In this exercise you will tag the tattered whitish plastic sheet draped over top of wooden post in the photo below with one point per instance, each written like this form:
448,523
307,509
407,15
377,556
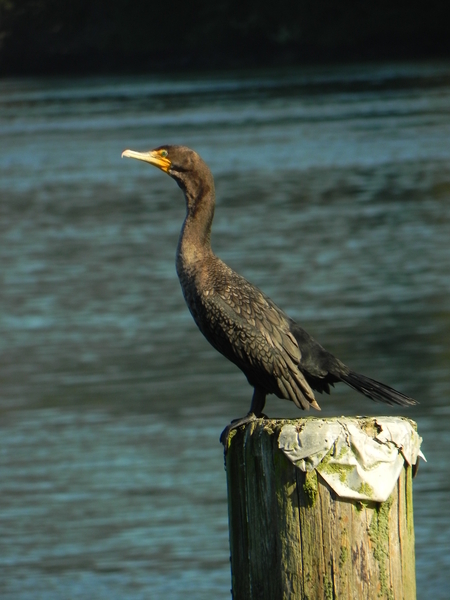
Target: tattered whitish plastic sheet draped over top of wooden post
359,458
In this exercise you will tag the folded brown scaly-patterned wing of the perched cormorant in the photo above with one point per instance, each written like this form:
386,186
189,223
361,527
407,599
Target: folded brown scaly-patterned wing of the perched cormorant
251,331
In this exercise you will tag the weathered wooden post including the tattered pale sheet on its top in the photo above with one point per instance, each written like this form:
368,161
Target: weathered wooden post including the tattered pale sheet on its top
322,509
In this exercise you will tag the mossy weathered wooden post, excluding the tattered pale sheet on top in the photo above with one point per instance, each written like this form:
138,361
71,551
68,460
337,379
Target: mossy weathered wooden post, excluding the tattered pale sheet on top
293,538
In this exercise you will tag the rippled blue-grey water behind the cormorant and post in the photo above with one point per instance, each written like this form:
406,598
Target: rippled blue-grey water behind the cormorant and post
333,196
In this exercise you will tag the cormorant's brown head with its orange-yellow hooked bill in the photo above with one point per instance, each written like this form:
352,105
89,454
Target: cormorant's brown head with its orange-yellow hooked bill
180,162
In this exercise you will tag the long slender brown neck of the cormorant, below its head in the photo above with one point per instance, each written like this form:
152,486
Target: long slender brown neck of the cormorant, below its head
194,245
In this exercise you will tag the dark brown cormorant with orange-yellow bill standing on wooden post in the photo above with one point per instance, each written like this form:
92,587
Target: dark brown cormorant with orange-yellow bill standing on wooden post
276,355
